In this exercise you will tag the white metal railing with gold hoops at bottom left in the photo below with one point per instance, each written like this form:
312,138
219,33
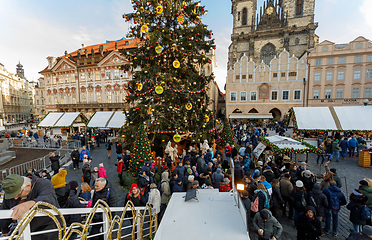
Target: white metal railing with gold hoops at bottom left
129,222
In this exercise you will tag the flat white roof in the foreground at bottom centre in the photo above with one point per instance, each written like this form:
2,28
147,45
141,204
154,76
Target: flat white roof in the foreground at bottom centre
214,216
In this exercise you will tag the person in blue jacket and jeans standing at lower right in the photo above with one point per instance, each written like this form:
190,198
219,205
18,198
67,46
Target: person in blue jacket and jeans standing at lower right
336,199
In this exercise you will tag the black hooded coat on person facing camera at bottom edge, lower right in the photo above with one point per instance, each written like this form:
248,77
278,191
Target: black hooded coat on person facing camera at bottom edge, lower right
308,229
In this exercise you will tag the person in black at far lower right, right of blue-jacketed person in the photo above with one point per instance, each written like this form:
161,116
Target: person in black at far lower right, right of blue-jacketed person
356,204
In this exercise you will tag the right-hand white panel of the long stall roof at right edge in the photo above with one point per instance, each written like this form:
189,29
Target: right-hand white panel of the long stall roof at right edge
355,118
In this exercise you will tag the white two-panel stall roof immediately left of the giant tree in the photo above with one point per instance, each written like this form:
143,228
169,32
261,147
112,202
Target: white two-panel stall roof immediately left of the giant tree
107,120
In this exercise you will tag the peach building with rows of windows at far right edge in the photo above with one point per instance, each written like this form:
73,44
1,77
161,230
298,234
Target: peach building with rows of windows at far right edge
340,74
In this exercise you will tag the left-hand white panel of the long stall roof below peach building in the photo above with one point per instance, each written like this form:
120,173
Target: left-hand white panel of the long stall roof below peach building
312,118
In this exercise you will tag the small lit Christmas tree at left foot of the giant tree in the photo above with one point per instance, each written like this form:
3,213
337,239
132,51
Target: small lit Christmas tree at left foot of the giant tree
141,152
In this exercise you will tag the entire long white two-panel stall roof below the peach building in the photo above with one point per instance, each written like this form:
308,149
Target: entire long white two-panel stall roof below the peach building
344,118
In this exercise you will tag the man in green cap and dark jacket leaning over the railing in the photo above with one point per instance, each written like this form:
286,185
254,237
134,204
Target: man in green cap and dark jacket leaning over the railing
33,190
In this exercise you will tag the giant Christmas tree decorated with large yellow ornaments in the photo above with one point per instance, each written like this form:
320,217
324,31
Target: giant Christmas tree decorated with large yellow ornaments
168,90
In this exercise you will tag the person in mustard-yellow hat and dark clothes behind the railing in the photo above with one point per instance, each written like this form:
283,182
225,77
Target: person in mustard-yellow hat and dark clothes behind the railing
61,188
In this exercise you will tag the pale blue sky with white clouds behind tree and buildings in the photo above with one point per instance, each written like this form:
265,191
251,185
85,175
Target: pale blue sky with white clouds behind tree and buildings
30,31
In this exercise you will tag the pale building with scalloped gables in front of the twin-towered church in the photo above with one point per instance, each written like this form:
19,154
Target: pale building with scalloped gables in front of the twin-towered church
265,89
